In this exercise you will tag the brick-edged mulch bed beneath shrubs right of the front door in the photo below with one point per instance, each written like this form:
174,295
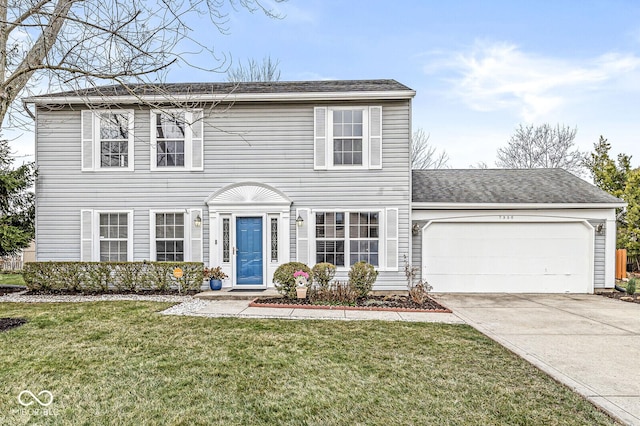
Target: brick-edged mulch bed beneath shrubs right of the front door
373,303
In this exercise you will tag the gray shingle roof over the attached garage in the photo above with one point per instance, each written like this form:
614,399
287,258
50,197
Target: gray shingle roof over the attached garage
505,186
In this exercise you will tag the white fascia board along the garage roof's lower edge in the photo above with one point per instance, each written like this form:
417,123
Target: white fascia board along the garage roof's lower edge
513,206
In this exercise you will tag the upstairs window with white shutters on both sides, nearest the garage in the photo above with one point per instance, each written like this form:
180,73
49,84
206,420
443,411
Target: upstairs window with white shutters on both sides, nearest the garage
348,137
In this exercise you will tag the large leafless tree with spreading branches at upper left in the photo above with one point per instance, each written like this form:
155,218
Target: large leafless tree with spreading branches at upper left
68,44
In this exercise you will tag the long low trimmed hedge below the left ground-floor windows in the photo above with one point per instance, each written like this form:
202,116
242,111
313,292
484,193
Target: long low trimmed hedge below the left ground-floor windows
112,276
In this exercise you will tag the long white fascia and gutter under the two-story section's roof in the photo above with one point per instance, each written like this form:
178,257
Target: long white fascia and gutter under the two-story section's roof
226,97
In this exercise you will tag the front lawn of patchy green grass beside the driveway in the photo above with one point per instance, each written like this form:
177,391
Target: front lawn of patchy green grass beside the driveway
122,363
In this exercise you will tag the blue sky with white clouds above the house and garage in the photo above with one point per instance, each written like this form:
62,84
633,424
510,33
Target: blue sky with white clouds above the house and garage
479,68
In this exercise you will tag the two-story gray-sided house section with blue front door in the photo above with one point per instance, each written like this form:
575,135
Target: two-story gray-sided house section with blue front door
247,176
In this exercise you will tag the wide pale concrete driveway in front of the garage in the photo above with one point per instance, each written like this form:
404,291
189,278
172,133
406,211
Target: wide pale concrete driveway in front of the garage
589,342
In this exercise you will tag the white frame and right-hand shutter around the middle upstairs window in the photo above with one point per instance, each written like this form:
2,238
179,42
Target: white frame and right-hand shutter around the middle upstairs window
188,140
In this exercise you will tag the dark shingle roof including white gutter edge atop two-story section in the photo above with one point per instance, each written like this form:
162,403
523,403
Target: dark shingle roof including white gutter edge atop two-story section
275,90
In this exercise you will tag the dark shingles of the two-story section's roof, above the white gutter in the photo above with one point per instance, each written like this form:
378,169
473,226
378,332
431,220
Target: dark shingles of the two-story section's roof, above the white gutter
323,86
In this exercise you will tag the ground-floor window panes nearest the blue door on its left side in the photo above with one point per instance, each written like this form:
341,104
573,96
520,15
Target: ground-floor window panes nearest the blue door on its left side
170,239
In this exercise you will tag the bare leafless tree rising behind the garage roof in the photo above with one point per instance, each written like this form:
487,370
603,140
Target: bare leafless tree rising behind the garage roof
543,146
